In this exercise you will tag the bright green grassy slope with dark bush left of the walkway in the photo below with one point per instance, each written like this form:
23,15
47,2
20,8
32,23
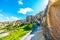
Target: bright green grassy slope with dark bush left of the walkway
17,32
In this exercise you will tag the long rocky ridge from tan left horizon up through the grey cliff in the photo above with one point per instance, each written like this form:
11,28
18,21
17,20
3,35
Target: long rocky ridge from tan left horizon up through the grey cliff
29,19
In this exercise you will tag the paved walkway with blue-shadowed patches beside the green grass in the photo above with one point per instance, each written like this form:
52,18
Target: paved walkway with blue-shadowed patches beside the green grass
35,34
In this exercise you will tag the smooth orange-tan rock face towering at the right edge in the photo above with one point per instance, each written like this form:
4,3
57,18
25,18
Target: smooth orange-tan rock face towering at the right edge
54,19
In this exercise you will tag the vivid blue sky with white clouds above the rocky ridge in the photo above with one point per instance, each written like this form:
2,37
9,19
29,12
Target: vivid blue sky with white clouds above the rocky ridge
11,10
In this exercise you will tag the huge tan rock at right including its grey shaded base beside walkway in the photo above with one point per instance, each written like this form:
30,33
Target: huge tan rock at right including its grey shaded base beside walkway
53,20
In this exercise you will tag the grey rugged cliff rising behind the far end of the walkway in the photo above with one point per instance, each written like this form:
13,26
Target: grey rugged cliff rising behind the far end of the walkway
35,19
